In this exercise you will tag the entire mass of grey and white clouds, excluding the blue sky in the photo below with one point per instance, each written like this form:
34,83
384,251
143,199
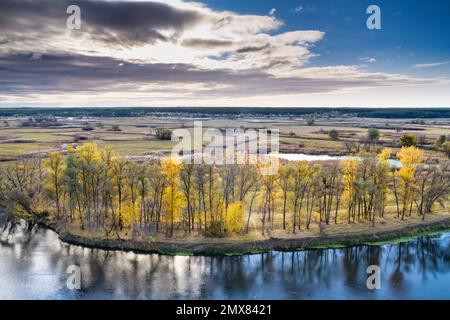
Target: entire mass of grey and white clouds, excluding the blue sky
165,53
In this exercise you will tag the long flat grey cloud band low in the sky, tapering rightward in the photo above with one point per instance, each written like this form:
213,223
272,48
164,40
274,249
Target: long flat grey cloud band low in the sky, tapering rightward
24,74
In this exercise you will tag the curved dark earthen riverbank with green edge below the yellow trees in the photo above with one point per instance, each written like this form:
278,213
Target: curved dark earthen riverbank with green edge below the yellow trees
226,247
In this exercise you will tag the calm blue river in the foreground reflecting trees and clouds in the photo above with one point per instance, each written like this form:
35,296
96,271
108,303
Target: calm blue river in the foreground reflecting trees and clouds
34,266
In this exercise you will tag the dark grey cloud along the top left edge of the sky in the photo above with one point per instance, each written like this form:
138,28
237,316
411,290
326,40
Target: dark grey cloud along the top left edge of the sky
125,22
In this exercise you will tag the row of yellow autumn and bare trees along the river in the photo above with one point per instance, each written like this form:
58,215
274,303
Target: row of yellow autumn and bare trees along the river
96,190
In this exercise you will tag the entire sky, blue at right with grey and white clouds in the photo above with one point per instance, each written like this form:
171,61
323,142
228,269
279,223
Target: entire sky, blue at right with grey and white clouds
265,53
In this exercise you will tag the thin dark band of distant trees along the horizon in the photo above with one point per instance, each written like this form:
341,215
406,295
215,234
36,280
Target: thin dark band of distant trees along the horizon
232,112
